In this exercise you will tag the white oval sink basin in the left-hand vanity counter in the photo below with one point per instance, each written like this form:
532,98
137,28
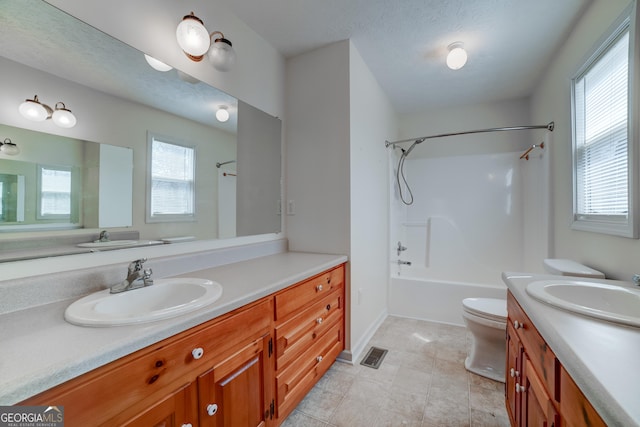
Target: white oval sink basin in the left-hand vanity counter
164,299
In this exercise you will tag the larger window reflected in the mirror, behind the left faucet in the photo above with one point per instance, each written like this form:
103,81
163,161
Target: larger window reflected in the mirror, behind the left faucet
171,181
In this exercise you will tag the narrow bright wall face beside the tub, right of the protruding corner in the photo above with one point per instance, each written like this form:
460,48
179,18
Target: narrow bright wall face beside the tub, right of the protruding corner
372,121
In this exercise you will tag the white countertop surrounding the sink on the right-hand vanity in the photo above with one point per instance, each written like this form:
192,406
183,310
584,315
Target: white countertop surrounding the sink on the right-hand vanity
602,357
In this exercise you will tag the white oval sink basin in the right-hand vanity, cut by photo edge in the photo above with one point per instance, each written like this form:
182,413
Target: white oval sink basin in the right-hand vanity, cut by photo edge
600,300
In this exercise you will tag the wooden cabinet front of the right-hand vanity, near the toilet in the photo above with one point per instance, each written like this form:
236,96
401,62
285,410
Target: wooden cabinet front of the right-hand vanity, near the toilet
538,391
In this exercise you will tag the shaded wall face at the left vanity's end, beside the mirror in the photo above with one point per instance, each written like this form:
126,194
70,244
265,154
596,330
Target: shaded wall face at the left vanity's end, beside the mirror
317,150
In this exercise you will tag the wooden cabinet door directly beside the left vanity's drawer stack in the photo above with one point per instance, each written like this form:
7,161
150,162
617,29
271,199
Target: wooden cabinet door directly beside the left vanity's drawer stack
238,391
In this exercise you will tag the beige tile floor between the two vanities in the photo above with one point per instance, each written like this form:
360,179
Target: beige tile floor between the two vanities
422,382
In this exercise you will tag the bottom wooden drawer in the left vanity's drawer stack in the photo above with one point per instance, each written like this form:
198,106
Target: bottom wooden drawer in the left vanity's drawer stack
298,378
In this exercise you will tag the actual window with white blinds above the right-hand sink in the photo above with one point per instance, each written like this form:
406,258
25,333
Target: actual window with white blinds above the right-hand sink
602,148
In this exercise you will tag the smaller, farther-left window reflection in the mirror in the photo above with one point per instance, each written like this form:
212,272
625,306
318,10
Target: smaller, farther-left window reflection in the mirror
54,192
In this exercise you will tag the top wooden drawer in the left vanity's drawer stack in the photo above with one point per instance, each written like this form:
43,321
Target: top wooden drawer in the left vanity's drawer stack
299,296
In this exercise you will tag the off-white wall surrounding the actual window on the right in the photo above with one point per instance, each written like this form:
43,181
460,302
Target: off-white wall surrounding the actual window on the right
617,257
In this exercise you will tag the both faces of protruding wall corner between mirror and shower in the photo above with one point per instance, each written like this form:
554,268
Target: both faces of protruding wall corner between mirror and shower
337,121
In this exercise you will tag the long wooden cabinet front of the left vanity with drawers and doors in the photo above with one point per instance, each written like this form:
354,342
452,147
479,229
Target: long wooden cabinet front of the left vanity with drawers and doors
221,373
